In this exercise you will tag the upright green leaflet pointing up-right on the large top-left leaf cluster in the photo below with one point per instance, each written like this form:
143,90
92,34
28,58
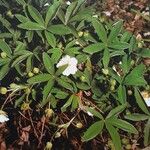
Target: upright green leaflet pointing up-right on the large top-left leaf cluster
52,10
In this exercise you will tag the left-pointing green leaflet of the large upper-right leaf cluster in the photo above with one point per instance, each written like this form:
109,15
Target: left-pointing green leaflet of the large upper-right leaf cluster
94,48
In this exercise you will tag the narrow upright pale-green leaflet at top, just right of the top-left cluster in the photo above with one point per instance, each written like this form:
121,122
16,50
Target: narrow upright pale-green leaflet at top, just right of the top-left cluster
69,11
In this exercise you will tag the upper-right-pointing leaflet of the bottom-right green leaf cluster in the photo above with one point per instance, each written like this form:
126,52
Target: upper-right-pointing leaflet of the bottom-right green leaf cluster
117,110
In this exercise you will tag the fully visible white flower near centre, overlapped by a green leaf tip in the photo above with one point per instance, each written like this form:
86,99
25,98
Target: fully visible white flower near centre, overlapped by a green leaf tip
72,65
